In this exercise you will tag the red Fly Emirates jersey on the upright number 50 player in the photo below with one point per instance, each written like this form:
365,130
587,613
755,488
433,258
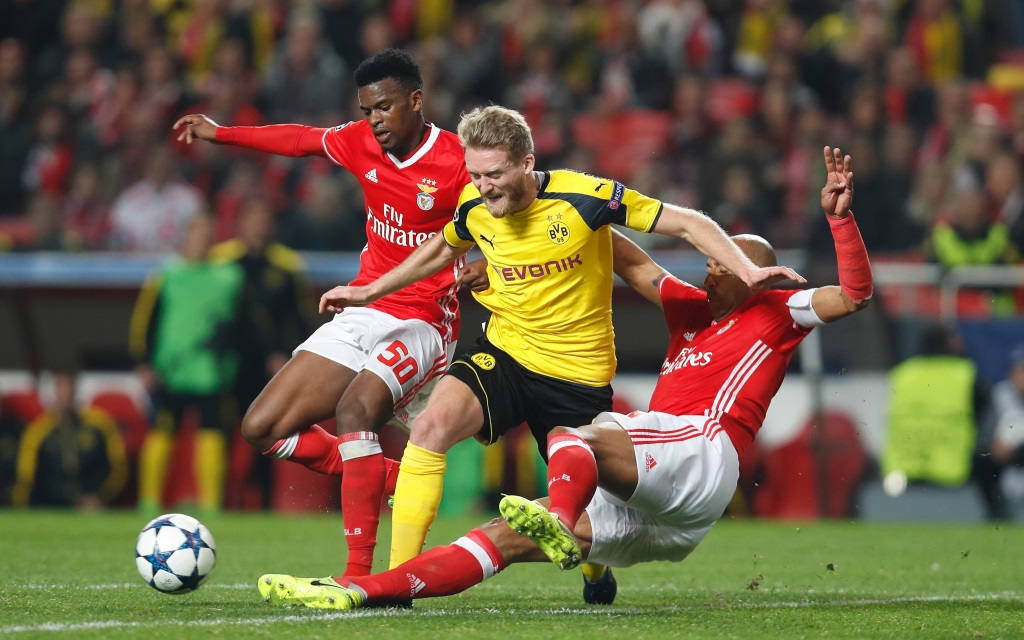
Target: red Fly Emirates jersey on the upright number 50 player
408,201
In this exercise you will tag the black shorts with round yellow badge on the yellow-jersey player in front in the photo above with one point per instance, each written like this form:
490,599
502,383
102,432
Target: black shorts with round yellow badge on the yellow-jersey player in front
511,395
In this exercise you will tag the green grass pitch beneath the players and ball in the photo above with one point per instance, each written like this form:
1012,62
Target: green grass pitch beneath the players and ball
73,576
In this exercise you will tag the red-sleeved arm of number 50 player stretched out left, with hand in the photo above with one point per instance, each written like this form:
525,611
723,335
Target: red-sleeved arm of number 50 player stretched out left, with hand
293,141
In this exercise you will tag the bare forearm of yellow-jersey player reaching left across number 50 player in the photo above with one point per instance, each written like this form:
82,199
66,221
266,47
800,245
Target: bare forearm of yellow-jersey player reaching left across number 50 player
425,262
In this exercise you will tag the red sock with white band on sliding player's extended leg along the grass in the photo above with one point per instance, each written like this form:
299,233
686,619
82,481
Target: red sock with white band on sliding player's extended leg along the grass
441,572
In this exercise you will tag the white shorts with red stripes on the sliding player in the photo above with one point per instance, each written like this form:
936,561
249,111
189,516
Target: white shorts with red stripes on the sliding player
689,472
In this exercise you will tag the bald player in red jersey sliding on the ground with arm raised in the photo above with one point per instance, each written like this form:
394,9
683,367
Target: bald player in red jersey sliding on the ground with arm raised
648,486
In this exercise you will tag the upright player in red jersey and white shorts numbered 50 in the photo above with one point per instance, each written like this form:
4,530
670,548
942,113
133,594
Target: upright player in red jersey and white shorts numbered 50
367,364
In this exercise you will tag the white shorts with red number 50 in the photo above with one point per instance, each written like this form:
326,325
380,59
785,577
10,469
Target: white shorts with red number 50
408,355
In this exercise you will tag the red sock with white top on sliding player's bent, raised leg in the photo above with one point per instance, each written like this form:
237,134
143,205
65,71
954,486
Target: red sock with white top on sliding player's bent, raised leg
572,478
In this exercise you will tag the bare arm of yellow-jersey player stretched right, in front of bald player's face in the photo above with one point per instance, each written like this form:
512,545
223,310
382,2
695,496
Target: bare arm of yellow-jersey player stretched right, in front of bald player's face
708,237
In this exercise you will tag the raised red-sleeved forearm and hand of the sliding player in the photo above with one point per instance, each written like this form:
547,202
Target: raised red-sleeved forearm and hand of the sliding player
855,291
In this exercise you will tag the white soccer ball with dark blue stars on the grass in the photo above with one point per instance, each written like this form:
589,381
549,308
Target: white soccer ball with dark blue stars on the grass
176,553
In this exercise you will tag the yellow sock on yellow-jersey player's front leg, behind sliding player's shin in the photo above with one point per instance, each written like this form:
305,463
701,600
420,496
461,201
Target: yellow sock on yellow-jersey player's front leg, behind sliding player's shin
417,497
